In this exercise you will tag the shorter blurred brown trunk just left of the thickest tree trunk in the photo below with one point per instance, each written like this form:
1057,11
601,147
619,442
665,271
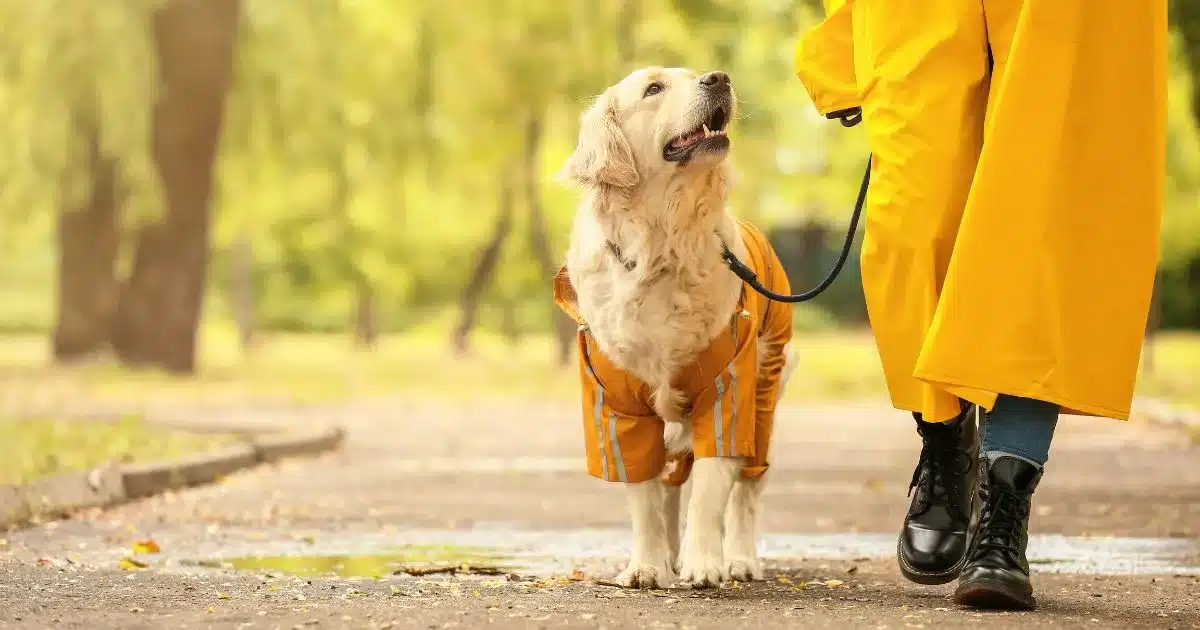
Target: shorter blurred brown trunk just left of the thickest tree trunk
89,239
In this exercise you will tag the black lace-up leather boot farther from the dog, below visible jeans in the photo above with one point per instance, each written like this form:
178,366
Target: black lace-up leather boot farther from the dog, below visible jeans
998,573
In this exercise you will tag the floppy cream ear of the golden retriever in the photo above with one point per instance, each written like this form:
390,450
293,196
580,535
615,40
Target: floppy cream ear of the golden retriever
603,155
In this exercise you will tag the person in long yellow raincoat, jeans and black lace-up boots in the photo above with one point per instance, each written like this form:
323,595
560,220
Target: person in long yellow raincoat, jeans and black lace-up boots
1011,241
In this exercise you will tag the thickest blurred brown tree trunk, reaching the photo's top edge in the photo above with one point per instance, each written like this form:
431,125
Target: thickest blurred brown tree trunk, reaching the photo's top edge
159,310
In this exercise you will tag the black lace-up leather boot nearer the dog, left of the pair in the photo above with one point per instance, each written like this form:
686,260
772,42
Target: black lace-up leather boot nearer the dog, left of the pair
934,541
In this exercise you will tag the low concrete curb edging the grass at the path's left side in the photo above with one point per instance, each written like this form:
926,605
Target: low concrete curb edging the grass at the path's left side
109,485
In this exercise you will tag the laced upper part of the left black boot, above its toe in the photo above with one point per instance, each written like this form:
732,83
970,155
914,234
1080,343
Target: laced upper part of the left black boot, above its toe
941,469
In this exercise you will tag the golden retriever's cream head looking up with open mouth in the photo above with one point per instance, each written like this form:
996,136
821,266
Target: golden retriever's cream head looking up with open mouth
653,124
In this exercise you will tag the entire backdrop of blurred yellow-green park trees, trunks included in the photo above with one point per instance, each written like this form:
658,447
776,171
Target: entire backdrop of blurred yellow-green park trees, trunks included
373,167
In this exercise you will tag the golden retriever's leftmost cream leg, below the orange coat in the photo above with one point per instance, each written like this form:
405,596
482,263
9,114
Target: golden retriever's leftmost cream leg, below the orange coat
650,567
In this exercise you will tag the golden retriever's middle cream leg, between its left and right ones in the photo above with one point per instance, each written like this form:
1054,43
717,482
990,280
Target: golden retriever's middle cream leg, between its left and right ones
701,557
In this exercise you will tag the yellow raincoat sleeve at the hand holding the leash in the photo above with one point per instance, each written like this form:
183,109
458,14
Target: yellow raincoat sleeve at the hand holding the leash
825,63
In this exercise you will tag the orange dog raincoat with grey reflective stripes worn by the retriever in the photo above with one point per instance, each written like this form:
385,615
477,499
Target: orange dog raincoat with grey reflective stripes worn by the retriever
731,411
